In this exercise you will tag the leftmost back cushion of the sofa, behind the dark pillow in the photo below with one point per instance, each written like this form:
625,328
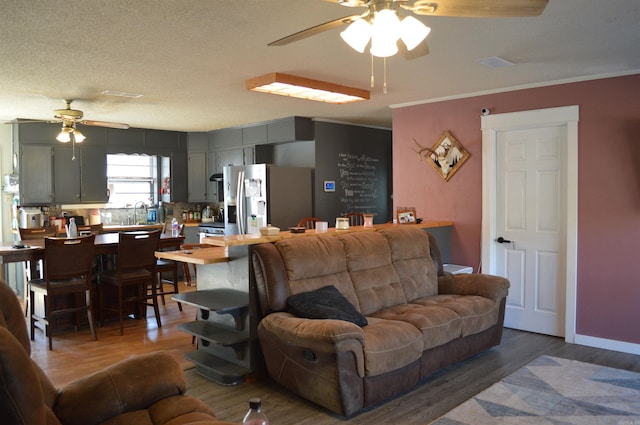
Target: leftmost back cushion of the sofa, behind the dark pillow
305,273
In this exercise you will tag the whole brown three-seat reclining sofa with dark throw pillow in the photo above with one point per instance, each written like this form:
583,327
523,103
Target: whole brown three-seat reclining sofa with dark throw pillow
419,319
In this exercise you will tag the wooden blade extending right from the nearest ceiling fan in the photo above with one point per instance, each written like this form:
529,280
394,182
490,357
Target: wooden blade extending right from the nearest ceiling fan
478,8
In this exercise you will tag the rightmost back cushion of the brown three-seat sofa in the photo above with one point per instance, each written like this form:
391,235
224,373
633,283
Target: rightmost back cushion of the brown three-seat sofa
411,257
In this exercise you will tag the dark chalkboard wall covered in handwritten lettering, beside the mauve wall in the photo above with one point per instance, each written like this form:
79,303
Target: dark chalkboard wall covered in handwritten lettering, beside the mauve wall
358,160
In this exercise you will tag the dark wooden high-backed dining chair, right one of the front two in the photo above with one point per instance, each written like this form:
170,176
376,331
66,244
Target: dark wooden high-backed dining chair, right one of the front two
133,278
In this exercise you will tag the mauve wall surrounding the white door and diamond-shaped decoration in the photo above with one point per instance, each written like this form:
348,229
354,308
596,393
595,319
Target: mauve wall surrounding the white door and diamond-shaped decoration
608,188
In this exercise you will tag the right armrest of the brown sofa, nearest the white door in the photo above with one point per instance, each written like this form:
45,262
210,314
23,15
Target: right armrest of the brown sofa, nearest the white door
485,285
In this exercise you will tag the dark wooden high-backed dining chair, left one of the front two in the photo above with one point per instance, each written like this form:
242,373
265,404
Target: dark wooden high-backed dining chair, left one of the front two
67,272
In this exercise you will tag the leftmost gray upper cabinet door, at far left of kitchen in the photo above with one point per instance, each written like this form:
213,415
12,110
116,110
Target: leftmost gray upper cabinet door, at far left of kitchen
36,175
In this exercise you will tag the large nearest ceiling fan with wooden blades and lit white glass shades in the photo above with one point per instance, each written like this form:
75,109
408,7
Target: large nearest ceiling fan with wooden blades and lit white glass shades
363,25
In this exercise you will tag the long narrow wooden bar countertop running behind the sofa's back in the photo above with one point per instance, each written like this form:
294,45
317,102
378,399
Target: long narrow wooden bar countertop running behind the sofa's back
239,240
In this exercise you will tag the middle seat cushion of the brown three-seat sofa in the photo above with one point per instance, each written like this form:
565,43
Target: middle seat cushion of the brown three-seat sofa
437,324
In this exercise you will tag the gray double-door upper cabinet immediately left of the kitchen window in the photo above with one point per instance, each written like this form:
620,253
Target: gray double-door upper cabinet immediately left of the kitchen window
80,180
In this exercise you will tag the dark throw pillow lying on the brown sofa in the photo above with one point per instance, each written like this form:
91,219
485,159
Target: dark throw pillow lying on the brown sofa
325,303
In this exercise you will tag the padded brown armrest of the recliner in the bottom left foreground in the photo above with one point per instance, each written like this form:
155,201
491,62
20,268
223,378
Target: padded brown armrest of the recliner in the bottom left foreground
131,384
